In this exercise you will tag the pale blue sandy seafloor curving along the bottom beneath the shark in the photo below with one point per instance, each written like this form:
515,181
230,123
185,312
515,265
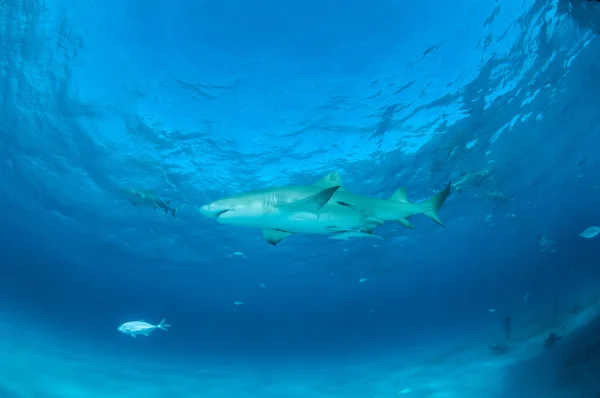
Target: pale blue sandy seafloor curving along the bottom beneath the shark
35,364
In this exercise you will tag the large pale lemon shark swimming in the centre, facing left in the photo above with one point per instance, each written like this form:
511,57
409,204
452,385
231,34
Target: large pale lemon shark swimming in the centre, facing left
324,207
